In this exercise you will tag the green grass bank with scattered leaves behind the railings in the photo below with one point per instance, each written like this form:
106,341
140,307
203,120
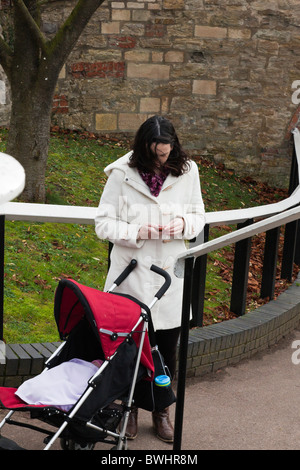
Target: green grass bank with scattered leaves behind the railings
37,255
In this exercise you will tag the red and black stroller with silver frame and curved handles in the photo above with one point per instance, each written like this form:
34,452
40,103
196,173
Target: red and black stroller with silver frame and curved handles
94,325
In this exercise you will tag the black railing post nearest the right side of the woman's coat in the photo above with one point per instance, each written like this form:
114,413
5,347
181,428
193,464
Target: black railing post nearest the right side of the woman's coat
198,285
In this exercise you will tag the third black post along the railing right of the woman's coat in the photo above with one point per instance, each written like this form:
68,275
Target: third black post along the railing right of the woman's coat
270,263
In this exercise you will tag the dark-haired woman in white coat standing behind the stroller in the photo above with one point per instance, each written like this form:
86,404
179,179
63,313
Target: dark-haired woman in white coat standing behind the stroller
150,205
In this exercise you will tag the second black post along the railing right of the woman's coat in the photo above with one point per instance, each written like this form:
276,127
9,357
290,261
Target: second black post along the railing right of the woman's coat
240,273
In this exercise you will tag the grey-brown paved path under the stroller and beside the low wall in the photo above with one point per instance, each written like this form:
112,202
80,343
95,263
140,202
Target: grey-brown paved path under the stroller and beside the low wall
254,405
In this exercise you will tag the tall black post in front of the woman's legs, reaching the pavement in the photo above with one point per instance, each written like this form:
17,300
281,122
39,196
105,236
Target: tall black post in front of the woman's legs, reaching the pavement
183,347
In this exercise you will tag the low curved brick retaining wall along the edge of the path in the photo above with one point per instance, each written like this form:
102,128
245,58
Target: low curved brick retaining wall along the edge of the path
210,348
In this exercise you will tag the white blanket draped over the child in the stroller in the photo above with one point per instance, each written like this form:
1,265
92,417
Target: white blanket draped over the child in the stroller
60,386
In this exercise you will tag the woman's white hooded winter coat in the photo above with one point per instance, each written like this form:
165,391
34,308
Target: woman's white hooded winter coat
127,204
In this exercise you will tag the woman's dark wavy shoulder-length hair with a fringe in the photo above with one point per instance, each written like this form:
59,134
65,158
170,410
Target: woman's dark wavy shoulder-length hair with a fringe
160,130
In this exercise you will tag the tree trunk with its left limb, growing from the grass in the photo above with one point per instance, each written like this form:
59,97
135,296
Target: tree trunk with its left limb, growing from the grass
32,83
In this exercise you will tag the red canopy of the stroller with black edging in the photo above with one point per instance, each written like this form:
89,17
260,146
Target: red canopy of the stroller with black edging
111,316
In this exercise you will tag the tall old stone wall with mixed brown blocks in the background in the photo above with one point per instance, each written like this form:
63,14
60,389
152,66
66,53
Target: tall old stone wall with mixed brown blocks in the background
222,71
